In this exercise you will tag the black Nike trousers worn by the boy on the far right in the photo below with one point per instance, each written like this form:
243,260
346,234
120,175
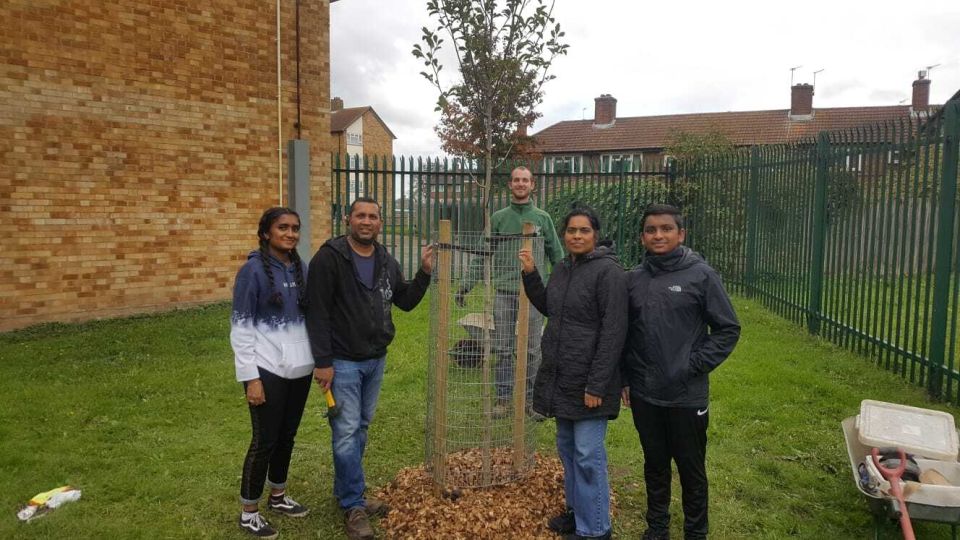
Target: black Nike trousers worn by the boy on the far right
680,434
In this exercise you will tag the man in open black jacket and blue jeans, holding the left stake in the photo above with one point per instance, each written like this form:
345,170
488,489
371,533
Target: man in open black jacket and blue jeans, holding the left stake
352,284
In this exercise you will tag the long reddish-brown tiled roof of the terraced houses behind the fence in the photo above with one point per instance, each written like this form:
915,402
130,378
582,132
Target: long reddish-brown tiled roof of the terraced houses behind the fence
743,128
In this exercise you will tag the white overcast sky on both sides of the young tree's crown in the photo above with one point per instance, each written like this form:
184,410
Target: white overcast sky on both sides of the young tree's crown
679,56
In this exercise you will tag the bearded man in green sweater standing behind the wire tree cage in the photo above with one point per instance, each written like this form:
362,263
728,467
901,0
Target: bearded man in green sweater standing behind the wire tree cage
508,223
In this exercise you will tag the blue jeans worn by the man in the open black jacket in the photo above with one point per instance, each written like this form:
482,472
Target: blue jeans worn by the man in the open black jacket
356,388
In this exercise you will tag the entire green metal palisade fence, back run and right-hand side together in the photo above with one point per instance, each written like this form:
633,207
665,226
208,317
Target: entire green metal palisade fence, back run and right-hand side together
852,234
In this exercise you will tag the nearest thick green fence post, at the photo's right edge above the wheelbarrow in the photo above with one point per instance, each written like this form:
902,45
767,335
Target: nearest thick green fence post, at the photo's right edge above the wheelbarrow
944,250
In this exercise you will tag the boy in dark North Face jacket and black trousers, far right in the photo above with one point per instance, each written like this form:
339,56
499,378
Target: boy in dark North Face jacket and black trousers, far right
682,326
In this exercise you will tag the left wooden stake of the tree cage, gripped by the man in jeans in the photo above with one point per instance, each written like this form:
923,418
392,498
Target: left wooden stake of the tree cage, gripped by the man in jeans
445,271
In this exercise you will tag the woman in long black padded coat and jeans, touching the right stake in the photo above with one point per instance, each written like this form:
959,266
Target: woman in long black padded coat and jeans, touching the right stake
578,382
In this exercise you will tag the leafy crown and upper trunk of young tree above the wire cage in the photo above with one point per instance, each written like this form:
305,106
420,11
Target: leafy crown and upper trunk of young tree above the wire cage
504,50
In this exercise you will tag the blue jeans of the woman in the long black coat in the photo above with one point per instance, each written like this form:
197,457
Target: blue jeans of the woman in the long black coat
580,444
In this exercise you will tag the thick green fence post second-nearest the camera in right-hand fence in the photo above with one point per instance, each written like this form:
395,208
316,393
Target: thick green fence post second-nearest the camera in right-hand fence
822,157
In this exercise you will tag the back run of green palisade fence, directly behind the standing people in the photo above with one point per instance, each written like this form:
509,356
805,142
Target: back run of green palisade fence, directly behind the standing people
445,188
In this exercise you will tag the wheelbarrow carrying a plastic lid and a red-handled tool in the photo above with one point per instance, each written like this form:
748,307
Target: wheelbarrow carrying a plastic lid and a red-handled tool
929,503
